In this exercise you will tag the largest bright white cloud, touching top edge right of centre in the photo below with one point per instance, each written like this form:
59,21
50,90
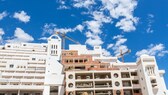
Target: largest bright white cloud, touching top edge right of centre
124,9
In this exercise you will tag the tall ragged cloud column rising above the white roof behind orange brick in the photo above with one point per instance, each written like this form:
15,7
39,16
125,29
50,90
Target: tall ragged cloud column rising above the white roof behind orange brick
94,27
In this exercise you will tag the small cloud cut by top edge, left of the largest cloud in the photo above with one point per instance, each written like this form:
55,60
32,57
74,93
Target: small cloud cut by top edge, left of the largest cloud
83,3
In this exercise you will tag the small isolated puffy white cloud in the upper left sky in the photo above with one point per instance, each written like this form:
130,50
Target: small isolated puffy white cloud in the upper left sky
22,16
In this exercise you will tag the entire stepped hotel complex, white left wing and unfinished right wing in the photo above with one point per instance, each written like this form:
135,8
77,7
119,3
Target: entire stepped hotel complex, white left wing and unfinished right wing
45,69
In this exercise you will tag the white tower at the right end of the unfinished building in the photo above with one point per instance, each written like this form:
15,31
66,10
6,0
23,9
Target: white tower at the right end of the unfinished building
151,78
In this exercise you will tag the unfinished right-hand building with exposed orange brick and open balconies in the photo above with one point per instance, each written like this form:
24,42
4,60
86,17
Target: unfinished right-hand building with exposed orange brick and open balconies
109,76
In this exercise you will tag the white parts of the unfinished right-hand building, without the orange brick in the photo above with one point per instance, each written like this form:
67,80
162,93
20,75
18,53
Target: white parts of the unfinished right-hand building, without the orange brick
138,78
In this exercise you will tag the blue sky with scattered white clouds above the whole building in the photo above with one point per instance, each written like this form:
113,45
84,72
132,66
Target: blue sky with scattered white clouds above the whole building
139,25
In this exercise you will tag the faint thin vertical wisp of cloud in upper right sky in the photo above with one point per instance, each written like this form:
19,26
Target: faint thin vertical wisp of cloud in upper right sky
150,22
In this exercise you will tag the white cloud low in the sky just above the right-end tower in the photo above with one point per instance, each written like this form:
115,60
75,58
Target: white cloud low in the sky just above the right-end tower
154,50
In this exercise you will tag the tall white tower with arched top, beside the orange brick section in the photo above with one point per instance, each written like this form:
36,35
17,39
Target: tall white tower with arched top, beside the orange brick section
53,75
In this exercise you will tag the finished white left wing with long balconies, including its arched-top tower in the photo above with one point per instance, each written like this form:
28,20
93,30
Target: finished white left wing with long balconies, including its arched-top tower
31,69
